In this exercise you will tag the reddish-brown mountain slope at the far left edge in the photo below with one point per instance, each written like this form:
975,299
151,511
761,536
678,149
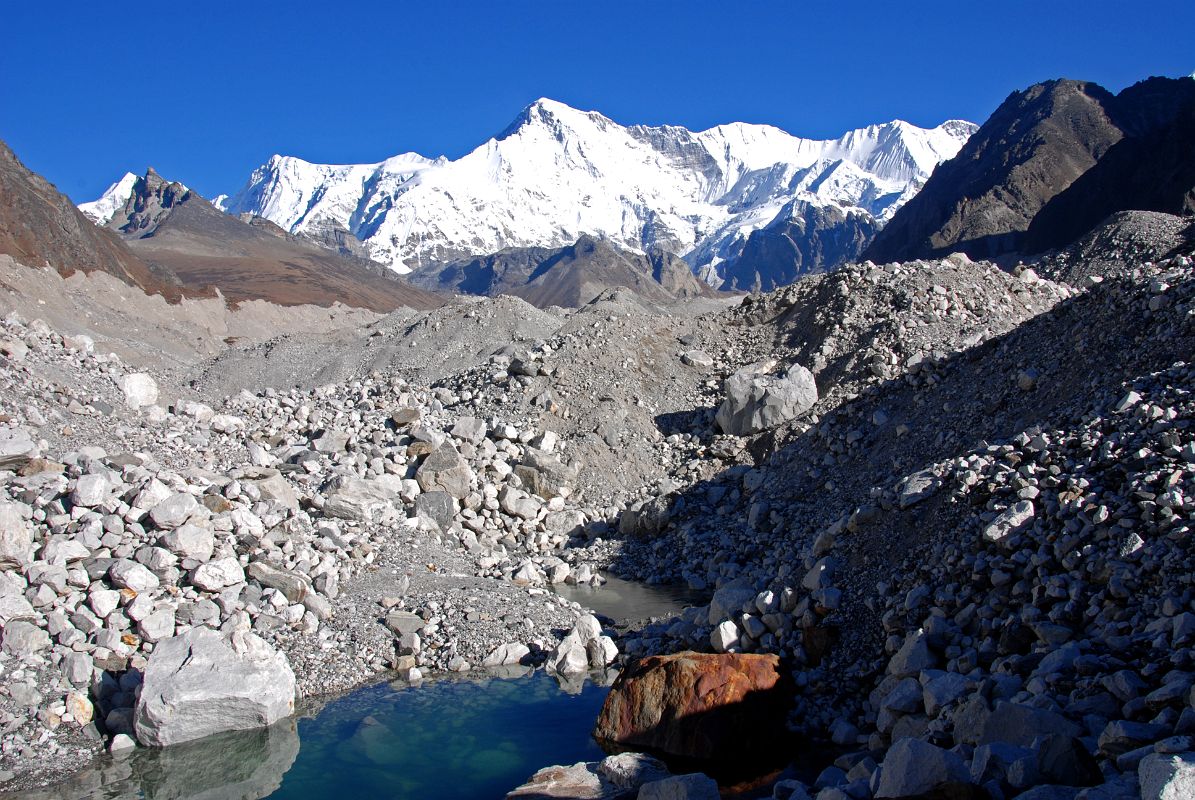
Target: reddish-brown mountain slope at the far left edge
40,227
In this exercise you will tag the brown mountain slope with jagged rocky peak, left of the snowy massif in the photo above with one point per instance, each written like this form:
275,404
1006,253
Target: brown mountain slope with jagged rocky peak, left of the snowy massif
180,231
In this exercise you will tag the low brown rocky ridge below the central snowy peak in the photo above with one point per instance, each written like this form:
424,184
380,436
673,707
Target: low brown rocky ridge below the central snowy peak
567,277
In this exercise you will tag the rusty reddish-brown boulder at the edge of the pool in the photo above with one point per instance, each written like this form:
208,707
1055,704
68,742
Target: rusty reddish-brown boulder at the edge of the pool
698,706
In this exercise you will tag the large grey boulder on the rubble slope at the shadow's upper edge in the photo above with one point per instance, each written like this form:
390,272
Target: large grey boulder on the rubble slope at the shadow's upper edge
757,402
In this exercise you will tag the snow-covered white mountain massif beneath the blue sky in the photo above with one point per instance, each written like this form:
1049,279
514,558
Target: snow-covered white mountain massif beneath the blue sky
556,174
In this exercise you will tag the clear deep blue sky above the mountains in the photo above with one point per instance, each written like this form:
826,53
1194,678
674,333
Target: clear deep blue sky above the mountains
207,91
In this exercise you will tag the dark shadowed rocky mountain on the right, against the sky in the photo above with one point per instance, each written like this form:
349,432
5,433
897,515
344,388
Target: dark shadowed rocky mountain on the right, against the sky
1051,164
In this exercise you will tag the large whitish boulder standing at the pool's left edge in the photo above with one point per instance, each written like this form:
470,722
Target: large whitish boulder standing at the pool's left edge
204,683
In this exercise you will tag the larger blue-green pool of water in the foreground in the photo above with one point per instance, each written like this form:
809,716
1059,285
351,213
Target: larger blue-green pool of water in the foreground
477,737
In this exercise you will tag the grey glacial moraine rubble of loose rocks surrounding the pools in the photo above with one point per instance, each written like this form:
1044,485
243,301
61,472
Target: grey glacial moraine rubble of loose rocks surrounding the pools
970,540
